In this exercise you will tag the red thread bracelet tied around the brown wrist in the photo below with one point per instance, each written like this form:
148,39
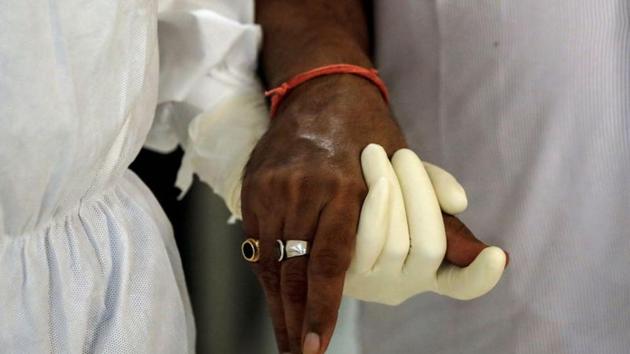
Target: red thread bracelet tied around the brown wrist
277,94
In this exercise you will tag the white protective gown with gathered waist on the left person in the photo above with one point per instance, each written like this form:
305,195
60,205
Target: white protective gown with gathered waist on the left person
87,257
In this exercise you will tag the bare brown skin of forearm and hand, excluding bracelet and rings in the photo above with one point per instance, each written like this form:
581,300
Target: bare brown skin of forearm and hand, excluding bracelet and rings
304,179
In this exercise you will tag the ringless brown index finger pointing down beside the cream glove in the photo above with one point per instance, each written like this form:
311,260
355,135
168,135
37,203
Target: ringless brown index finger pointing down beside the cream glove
329,259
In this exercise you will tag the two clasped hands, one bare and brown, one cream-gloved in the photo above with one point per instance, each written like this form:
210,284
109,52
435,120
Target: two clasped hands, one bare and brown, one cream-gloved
305,183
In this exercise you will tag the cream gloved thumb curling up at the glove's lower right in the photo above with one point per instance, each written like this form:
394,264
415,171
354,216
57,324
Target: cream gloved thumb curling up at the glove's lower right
476,279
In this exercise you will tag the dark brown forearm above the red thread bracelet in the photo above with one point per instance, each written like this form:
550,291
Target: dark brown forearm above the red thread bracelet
301,35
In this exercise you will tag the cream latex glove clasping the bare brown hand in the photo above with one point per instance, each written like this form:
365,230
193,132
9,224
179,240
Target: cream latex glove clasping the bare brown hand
401,242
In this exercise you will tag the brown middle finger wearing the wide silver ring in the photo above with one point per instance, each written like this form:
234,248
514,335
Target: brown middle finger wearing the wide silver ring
300,224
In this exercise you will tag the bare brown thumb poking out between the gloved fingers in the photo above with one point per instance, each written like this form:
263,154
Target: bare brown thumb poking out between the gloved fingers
462,246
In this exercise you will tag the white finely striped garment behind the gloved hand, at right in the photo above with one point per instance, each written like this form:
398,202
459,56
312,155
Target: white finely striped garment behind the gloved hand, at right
528,104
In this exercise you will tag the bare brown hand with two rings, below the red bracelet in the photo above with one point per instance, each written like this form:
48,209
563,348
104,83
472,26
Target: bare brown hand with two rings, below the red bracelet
304,182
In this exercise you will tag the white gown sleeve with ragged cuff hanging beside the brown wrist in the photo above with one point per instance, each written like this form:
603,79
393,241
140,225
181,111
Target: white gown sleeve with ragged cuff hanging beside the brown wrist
210,100
